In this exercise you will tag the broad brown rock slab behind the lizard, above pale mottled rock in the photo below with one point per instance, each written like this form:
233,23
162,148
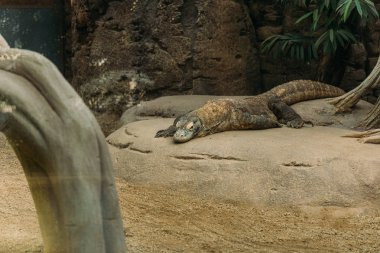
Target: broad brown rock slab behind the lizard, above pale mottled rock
182,46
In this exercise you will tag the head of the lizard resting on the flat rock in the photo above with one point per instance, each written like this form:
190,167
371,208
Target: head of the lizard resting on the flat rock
187,129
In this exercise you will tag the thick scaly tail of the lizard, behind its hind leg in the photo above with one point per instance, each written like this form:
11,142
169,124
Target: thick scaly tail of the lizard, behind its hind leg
302,90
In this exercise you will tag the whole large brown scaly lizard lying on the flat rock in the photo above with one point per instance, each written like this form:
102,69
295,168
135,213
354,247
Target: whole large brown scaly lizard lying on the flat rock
268,110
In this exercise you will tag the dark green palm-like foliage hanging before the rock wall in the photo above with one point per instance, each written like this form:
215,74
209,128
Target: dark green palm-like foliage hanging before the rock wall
331,27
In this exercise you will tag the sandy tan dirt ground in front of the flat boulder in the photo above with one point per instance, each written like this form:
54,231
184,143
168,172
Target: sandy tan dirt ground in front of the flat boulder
161,220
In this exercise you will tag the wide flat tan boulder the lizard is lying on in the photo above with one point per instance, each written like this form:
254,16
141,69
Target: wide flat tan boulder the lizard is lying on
269,167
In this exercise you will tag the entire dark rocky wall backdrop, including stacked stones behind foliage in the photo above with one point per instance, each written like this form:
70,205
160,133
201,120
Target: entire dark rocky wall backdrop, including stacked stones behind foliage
127,51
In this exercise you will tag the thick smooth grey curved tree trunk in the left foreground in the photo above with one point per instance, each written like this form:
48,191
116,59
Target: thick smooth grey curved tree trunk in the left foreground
63,153
